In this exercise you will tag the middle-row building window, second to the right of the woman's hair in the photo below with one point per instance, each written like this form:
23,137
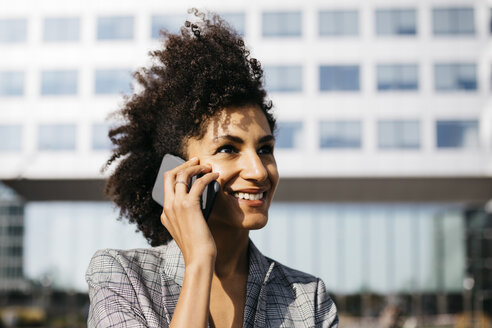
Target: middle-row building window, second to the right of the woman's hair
339,78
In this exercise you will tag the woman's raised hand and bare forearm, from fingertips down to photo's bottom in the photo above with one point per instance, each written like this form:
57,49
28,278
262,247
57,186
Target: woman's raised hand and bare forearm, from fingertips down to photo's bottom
182,216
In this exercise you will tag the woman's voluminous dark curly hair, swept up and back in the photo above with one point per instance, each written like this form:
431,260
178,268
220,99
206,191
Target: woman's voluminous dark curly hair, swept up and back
194,76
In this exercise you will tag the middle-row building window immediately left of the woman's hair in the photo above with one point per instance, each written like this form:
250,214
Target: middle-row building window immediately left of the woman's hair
112,81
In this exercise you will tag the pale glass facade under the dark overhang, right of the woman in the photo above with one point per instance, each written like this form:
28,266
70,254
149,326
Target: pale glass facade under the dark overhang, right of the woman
378,248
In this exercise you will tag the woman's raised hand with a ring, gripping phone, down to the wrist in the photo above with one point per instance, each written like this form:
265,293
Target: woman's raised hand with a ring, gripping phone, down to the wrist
182,215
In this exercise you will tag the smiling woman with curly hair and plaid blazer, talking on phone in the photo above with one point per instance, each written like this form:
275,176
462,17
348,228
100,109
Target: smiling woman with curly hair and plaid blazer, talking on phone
202,100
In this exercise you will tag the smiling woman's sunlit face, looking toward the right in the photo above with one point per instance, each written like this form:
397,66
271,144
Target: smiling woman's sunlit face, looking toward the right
238,144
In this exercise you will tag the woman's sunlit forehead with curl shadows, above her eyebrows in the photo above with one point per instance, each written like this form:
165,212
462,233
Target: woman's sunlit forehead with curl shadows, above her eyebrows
248,119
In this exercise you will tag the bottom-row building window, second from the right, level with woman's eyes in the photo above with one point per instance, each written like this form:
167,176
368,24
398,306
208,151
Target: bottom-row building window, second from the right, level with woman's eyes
398,134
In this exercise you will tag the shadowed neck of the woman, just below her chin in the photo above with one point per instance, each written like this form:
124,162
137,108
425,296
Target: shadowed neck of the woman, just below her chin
232,252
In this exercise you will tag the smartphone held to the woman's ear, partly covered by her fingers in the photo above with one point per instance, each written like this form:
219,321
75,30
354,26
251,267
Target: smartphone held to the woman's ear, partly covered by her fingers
207,198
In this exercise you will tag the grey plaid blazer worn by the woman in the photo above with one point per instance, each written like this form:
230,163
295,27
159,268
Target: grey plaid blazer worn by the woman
140,288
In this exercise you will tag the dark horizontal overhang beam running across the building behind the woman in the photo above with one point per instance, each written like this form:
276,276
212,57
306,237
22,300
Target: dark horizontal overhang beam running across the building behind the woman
419,189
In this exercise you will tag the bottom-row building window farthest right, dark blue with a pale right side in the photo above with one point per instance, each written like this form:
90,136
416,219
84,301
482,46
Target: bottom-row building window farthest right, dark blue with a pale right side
457,134
